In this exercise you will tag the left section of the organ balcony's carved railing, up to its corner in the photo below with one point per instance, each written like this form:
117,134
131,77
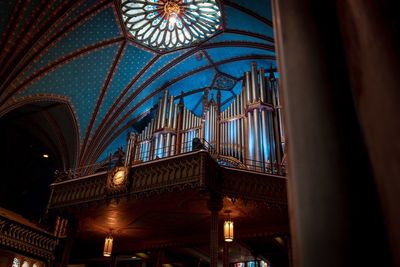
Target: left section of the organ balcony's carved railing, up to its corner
190,170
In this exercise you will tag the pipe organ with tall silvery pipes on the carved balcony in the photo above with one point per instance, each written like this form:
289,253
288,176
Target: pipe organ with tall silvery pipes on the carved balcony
248,133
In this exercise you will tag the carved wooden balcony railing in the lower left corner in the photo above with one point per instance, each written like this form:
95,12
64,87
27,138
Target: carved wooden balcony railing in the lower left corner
26,239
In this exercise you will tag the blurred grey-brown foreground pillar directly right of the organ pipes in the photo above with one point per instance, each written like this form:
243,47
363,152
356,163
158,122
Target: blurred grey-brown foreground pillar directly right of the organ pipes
334,208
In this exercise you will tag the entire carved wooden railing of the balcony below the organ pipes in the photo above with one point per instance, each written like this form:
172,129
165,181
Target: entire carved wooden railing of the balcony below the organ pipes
196,170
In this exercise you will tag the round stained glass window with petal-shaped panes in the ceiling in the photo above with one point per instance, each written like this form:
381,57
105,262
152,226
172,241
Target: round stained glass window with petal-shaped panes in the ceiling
169,24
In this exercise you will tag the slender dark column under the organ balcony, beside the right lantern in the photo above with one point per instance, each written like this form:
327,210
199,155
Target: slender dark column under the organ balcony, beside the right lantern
214,205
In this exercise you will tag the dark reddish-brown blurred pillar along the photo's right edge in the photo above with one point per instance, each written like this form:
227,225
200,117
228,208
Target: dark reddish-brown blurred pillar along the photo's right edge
374,72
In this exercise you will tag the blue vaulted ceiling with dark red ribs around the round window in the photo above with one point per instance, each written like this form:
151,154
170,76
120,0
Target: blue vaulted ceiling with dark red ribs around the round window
79,51
